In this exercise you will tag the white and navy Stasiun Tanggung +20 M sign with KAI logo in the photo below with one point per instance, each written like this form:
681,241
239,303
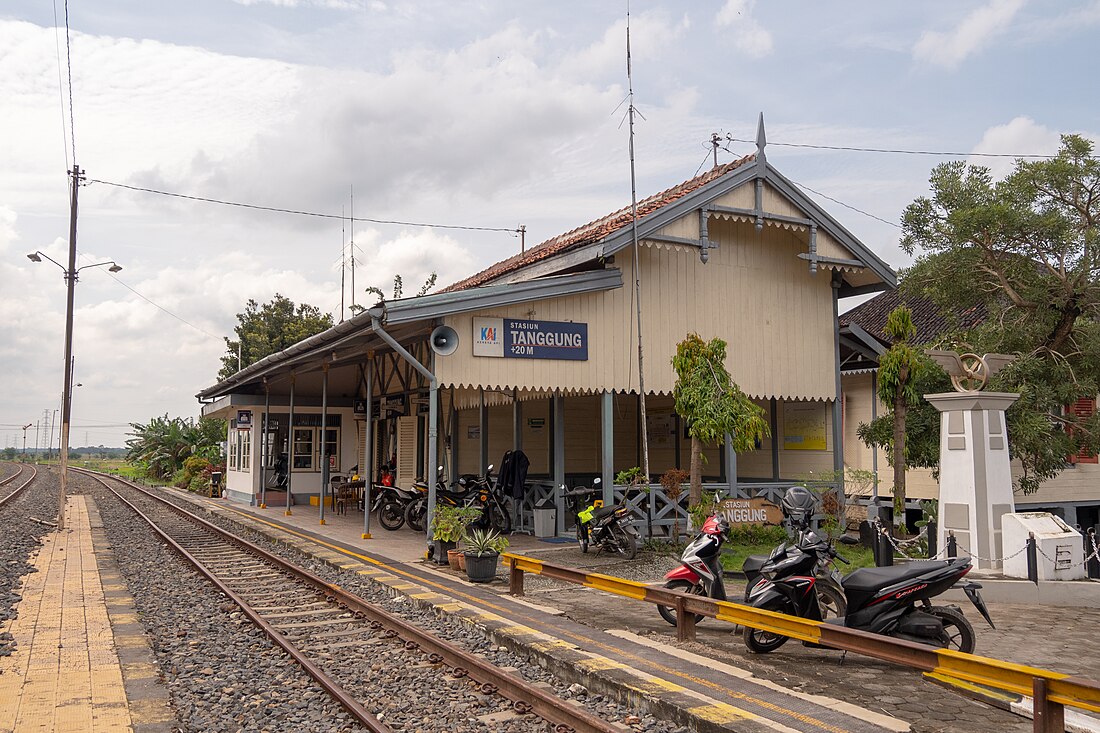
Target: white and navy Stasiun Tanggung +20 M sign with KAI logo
531,340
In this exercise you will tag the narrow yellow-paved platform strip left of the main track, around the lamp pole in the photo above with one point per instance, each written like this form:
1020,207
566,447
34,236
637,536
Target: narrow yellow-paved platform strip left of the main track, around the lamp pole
82,662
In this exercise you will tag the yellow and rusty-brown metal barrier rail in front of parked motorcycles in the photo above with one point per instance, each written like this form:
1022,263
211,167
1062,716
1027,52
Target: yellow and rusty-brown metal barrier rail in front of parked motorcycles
1051,691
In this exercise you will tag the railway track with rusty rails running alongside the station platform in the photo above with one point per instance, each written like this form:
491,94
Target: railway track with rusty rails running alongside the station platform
337,637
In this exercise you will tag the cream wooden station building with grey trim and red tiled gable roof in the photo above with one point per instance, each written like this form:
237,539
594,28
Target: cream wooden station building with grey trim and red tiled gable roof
538,354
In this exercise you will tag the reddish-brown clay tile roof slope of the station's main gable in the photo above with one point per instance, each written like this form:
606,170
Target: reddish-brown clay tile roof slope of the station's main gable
596,231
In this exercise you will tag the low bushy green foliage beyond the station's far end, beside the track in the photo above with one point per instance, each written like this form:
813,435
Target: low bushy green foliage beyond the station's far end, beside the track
163,444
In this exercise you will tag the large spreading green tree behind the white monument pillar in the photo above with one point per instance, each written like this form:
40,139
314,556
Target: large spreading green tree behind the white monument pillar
1027,249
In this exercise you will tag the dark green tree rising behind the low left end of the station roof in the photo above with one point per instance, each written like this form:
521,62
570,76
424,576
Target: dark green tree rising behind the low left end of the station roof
269,329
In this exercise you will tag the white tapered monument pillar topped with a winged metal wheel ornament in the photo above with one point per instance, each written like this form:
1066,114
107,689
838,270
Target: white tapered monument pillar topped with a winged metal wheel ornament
975,473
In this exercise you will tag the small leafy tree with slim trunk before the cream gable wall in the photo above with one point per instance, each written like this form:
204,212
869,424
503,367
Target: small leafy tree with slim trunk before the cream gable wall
713,404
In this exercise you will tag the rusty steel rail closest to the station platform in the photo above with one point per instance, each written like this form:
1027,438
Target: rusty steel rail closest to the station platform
526,697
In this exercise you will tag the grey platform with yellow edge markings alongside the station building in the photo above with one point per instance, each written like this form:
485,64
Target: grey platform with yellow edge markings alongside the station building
694,691
